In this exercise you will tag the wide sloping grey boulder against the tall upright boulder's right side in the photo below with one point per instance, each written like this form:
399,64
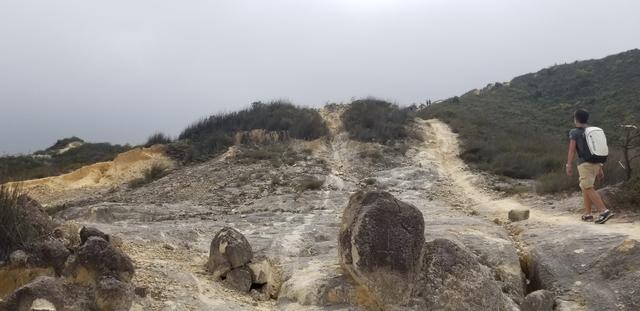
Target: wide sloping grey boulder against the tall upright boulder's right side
453,279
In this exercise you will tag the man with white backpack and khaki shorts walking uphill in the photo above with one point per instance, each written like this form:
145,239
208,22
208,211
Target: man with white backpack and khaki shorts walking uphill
589,167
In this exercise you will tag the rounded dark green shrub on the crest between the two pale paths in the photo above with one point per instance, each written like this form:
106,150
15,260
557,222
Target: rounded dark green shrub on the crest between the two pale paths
372,120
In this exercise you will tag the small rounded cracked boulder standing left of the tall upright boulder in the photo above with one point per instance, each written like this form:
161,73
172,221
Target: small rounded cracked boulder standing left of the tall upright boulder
229,249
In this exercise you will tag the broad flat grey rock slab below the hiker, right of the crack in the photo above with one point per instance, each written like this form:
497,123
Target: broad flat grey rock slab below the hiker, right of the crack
594,268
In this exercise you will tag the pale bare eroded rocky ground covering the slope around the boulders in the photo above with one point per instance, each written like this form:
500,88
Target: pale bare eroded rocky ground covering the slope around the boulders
291,214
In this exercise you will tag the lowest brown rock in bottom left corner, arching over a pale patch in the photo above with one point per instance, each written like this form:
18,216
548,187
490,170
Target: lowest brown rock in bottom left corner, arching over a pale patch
41,289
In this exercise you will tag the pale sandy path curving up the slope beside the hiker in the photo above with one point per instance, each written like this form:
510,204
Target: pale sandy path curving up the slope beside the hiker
442,145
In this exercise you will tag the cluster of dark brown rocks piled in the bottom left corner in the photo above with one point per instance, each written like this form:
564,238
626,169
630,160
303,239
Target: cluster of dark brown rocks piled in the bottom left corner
49,276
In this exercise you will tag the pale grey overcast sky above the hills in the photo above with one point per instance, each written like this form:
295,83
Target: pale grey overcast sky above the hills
120,70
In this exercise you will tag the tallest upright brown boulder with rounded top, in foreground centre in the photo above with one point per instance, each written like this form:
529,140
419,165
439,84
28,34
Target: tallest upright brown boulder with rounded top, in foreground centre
380,245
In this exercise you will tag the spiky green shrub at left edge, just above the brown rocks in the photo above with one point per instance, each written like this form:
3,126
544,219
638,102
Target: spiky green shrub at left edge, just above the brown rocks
21,222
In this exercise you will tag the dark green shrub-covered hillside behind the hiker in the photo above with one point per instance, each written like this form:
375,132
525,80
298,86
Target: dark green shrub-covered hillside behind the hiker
520,129
